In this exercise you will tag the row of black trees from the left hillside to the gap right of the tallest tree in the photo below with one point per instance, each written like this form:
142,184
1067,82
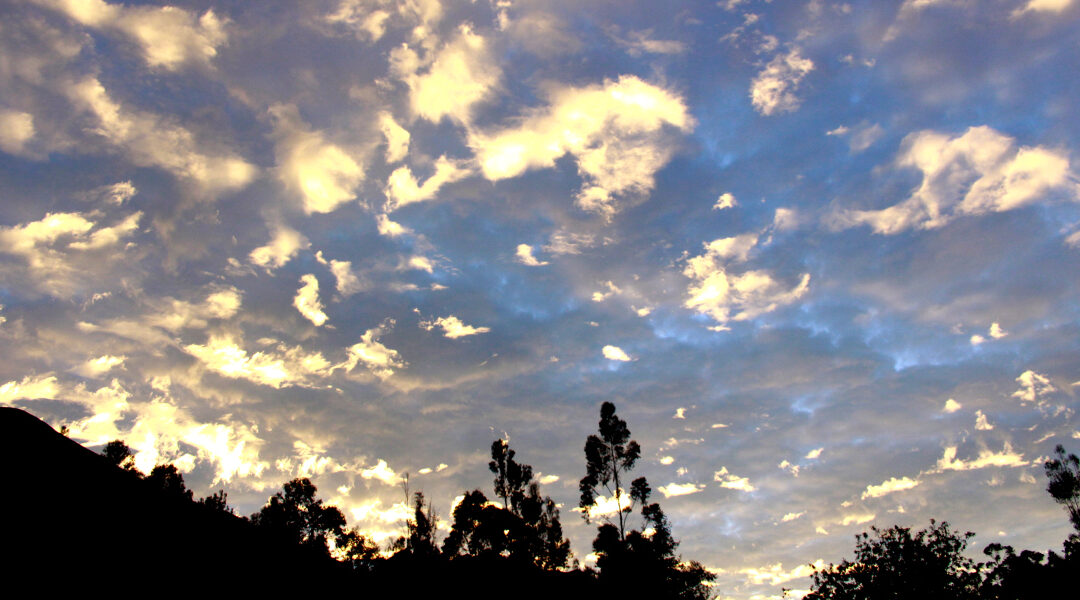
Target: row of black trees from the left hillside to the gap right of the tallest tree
517,543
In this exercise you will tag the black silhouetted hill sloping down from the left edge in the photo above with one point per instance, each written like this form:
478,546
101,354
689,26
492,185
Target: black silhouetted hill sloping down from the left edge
71,516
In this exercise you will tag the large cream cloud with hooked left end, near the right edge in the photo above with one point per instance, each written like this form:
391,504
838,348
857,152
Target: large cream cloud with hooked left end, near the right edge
977,173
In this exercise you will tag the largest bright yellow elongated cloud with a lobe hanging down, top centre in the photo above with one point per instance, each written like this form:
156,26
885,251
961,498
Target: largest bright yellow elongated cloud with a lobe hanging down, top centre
615,132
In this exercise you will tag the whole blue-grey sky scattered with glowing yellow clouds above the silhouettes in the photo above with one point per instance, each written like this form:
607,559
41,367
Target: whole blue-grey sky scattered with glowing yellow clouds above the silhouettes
822,256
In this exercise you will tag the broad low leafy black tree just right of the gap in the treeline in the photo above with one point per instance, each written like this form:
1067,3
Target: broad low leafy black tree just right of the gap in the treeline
895,564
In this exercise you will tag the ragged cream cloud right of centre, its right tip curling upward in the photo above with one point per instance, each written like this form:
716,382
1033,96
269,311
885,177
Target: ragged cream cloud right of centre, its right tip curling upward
725,295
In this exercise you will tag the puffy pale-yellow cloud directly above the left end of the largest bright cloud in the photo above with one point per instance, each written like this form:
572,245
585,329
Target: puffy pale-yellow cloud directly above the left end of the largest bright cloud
462,75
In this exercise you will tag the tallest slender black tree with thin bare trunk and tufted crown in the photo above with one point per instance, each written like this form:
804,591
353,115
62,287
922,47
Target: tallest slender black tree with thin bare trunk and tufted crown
607,457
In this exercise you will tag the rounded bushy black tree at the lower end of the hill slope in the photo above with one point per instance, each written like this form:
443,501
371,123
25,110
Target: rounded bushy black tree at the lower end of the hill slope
299,515
